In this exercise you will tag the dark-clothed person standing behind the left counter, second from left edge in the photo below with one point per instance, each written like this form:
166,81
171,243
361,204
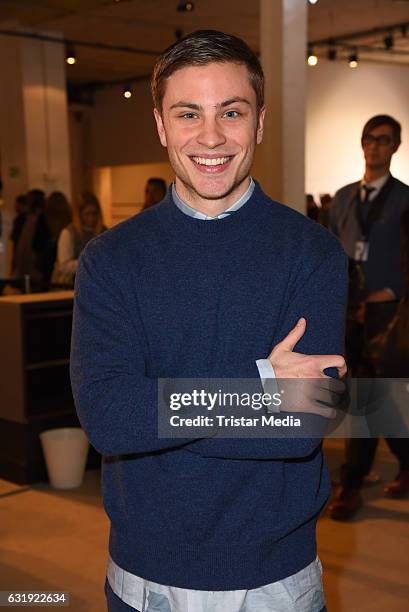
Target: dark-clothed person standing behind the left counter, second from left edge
30,254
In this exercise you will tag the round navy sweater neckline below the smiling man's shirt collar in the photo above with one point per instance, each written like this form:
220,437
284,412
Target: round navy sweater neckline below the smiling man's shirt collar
230,228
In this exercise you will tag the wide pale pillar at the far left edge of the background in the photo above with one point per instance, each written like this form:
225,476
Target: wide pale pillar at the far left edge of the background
34,146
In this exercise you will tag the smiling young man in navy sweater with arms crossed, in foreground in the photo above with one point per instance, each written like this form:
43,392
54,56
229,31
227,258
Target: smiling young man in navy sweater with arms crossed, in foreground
217,281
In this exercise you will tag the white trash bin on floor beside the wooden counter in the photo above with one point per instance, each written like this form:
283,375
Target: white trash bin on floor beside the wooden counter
65,451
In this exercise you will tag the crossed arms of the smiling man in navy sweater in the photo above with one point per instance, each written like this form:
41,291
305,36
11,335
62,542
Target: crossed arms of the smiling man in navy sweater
117,402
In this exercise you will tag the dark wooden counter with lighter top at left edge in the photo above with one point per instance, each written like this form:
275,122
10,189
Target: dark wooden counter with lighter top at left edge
35,389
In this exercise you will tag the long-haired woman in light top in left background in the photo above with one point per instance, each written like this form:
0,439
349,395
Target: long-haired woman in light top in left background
73,239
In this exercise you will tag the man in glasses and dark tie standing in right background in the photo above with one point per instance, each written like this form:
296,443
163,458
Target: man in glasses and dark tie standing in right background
366,217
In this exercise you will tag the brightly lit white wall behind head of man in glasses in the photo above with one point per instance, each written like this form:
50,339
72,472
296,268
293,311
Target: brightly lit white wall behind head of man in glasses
340,100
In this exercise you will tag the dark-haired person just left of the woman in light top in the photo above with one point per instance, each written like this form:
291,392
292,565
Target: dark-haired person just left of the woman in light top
58,215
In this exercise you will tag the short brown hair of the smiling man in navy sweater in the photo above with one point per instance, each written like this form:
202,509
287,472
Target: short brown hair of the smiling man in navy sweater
199,49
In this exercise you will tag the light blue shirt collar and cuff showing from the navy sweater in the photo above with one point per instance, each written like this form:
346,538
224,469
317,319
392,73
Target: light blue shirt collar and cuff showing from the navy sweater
264,366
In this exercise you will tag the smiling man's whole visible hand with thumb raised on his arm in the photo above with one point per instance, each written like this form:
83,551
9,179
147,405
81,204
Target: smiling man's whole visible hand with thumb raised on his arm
313,392
